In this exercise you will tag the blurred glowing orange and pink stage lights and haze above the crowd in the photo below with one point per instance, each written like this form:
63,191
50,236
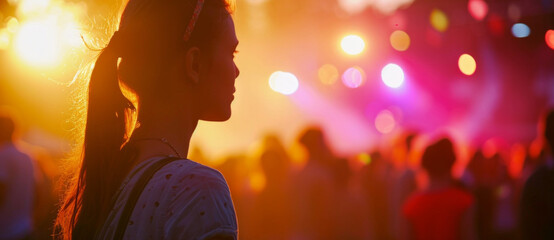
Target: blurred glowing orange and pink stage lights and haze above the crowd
371,74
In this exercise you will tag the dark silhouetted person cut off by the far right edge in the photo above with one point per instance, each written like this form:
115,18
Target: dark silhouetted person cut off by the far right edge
537,204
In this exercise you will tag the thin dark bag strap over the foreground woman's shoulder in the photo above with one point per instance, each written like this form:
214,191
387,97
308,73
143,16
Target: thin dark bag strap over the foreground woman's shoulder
135,194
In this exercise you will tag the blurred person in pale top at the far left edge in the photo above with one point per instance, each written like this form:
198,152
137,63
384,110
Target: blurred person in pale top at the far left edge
17,186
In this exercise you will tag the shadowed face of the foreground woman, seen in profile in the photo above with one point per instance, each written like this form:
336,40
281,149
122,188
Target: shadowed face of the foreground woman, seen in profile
217,76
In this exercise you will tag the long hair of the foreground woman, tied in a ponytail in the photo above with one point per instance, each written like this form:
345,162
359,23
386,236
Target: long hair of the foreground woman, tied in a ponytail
151,32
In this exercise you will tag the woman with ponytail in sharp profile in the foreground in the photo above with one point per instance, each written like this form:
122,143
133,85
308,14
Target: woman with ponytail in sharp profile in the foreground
174,58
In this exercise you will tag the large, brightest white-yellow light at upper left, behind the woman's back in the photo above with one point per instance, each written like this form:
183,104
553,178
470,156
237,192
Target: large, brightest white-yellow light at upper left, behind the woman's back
37,43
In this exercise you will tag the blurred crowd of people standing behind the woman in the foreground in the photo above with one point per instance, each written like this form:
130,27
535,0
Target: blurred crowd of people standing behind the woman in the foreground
404,190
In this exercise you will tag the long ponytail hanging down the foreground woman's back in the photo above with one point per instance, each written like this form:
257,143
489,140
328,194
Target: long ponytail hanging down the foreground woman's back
102,165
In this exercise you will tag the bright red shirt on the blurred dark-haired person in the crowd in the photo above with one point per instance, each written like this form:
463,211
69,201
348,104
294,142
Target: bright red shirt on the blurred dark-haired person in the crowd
437,214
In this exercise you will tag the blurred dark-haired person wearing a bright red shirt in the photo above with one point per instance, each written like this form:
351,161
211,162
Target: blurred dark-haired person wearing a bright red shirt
442,211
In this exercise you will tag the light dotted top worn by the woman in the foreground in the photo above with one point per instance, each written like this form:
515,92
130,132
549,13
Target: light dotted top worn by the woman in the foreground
183,200
